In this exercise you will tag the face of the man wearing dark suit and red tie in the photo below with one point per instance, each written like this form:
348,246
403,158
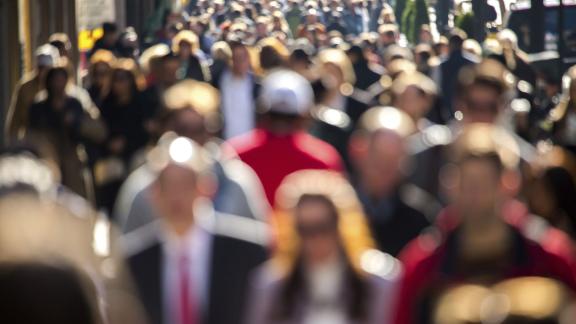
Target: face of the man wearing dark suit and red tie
175,193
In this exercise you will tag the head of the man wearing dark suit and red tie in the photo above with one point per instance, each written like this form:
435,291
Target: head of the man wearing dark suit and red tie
183,177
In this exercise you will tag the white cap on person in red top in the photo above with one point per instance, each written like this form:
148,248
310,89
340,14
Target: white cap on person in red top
286,92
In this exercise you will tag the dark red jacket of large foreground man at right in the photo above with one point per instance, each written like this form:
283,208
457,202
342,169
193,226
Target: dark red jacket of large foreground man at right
427,260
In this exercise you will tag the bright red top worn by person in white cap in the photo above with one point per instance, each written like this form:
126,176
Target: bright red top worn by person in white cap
273,157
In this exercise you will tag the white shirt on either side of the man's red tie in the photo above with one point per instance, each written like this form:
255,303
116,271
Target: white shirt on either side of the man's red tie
197,243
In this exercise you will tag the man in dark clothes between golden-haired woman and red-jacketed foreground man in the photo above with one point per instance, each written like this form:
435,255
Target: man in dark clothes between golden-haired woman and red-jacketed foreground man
397,211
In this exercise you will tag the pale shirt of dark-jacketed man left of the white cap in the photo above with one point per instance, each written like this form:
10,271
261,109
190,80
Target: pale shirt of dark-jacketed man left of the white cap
237,104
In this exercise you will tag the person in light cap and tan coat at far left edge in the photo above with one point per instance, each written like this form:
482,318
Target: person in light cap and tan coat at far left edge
25,92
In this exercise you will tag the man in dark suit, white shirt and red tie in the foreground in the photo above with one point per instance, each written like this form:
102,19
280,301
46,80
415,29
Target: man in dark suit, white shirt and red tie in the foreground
192,265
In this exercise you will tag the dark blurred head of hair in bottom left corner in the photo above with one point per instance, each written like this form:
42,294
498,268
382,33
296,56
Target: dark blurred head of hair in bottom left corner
33,293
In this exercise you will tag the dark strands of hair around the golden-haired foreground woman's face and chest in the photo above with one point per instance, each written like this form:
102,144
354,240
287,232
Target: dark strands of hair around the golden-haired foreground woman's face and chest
295,289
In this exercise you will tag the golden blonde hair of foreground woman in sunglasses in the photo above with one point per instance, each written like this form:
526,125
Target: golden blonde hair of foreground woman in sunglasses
352,226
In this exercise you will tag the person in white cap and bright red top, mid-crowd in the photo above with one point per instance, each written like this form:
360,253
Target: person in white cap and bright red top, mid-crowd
281,145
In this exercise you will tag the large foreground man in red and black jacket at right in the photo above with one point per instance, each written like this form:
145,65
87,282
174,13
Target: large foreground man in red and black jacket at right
482,248
